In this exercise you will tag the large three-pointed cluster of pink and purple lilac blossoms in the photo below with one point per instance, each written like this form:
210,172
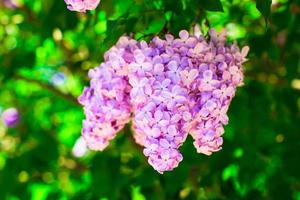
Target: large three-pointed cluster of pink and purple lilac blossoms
171,87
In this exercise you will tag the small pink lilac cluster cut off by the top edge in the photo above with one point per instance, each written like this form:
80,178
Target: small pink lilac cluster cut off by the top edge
82,5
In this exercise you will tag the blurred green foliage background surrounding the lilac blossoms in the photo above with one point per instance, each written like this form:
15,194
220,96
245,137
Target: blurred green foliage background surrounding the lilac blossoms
45,53
